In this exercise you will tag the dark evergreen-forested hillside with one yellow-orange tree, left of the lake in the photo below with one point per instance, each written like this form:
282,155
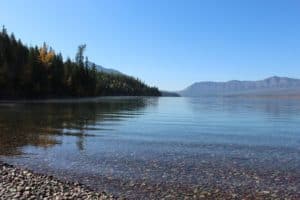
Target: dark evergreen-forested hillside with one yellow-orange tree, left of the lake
32,72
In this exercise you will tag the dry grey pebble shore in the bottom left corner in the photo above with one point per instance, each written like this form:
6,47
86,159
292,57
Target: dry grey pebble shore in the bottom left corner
17,183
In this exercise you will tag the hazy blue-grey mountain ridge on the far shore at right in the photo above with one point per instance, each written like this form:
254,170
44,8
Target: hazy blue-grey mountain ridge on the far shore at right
270,86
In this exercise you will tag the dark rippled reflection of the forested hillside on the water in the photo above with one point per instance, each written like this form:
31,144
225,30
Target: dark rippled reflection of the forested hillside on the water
42,124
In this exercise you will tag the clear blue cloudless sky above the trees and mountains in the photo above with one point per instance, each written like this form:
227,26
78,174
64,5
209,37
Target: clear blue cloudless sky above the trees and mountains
170,44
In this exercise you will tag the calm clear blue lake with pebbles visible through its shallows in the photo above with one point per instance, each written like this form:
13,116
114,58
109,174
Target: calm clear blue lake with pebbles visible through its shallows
149,148
